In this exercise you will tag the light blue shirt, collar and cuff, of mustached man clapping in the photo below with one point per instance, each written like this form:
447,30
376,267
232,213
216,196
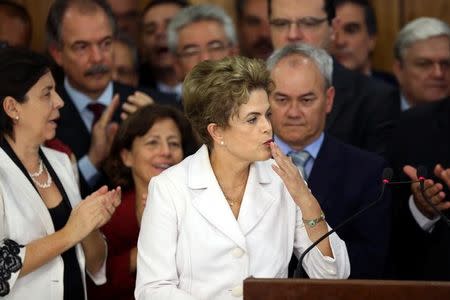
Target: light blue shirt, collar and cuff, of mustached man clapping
81,101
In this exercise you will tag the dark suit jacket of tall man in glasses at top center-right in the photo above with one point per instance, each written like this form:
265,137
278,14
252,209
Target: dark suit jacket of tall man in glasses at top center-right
364,110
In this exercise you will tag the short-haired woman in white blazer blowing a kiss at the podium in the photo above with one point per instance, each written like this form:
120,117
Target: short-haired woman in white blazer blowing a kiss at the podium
228,211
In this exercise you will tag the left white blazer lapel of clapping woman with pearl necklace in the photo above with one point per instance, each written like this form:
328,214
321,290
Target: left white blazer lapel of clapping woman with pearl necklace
24,191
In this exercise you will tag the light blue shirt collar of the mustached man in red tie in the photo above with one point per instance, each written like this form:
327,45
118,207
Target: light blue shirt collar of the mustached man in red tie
81,101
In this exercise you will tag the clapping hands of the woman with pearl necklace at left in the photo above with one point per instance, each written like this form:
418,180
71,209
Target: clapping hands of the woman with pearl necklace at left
92,213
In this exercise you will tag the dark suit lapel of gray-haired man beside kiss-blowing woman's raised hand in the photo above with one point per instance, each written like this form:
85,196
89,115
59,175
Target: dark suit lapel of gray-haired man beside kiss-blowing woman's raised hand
324,173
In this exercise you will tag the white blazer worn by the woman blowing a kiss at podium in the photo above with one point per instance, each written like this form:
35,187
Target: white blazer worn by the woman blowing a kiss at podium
191,246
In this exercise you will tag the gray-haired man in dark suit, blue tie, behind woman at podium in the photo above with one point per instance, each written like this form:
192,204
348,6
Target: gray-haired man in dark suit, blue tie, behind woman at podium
343,178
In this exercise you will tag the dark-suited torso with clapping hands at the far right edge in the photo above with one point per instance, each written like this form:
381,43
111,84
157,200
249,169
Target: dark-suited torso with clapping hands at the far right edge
421,238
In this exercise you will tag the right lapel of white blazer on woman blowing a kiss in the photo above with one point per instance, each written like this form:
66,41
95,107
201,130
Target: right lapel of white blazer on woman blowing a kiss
257,197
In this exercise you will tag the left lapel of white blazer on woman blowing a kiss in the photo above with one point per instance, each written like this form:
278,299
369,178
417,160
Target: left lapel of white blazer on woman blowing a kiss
209,200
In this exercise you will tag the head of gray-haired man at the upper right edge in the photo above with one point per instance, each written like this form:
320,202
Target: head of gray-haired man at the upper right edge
422,61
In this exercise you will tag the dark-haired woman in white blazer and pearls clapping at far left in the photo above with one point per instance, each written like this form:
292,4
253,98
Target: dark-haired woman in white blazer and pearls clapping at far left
45,245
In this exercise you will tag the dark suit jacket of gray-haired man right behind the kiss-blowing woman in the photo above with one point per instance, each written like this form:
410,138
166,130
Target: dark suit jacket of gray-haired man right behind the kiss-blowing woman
344,179
